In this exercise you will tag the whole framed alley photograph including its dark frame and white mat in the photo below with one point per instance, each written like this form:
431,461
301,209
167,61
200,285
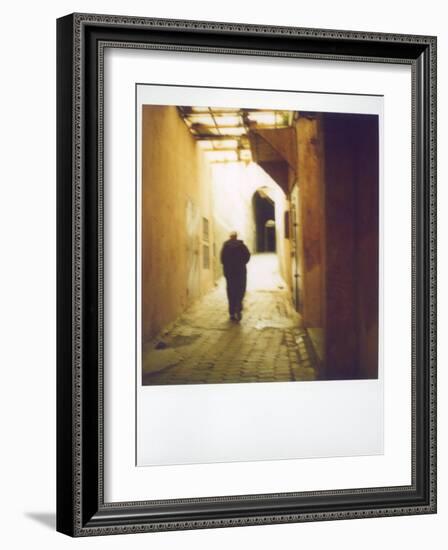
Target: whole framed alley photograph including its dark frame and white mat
246,274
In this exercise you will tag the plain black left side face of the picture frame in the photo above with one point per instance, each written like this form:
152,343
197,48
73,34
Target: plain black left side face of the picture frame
65,371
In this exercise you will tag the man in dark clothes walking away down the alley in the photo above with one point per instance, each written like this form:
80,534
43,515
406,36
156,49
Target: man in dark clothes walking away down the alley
234,257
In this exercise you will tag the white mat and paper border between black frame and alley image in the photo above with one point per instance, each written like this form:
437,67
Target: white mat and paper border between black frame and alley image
253,422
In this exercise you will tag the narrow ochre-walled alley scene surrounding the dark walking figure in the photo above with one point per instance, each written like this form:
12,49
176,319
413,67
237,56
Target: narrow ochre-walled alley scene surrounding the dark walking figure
300,190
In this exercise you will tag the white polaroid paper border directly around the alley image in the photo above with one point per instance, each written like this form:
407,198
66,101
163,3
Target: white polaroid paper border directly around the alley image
185,424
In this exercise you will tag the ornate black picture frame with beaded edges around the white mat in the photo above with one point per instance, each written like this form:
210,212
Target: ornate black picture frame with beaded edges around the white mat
81,509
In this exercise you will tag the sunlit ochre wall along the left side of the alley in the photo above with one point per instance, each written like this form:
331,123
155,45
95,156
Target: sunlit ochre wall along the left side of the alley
176,195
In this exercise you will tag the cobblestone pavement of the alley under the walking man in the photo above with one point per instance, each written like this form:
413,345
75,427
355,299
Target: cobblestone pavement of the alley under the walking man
204,347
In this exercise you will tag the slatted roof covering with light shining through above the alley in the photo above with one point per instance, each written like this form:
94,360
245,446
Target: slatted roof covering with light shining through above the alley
222,132
